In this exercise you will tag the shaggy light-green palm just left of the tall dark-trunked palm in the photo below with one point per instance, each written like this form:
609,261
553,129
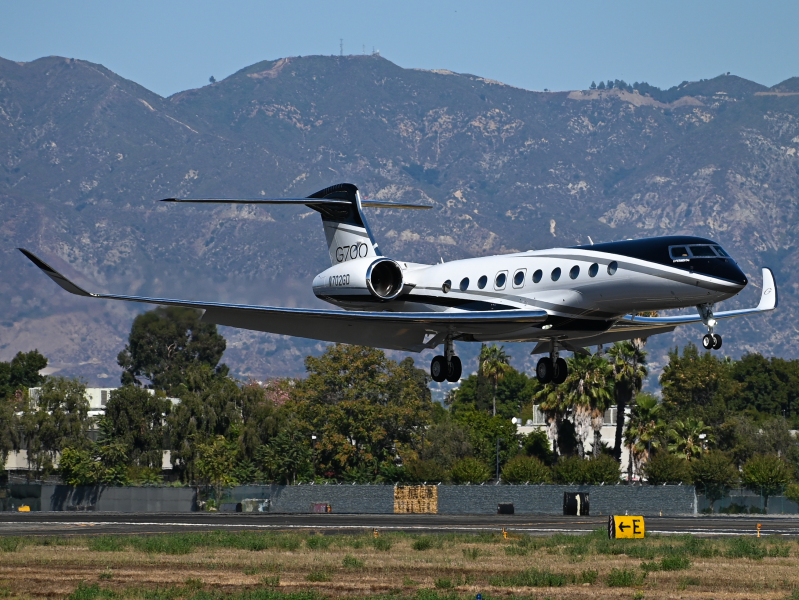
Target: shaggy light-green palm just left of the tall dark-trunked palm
590,390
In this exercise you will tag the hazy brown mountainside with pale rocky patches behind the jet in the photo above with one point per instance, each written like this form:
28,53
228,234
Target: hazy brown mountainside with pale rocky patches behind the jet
86,153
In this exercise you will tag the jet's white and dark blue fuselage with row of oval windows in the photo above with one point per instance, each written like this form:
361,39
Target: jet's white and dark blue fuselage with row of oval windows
600,282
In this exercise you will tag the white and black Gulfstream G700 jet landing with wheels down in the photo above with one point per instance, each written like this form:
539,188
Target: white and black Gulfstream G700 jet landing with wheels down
561,298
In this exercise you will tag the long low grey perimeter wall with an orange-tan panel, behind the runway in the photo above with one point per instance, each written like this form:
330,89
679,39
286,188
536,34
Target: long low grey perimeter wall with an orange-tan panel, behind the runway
365,499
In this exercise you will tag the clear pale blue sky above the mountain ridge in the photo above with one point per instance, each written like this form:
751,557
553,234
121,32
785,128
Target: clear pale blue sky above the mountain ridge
169,46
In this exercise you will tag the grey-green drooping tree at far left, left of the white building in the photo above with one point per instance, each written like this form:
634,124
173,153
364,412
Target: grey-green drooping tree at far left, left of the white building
56,418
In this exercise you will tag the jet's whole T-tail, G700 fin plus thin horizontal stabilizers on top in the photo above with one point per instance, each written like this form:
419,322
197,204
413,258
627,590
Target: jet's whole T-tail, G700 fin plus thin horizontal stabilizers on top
346,230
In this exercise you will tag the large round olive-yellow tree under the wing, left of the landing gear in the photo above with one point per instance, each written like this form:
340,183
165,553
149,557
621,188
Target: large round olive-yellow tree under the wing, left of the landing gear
362,407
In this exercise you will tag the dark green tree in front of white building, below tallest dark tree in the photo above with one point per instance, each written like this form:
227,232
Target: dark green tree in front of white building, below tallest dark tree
135,418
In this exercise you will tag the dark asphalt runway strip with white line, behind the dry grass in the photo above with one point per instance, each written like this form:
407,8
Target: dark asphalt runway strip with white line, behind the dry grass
88,523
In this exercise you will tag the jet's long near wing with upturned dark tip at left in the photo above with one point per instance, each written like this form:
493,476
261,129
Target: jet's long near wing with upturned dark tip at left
396,331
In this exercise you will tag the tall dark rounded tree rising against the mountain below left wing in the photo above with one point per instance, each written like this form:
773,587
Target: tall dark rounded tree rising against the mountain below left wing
164,343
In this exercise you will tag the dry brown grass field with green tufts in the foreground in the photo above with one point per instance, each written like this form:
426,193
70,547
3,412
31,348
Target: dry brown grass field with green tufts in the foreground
292,566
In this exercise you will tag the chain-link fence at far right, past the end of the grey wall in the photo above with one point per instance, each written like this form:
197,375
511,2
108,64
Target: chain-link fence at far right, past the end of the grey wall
726,500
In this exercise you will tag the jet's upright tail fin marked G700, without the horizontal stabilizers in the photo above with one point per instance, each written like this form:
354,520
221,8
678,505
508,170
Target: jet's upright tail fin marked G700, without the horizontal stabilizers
347,234
